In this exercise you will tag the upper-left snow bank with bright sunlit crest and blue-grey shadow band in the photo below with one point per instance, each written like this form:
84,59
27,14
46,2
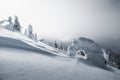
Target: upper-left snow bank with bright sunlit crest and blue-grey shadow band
17,40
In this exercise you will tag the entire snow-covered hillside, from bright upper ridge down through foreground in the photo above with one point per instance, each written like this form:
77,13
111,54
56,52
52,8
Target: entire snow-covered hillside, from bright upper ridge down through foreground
23,59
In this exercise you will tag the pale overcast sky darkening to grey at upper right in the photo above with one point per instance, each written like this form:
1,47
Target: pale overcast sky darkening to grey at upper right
66,19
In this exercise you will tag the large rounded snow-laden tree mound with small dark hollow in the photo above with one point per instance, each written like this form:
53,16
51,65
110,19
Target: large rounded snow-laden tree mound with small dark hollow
87,49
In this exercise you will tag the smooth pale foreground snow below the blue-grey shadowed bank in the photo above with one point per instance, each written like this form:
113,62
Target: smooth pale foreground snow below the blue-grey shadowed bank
19,64
